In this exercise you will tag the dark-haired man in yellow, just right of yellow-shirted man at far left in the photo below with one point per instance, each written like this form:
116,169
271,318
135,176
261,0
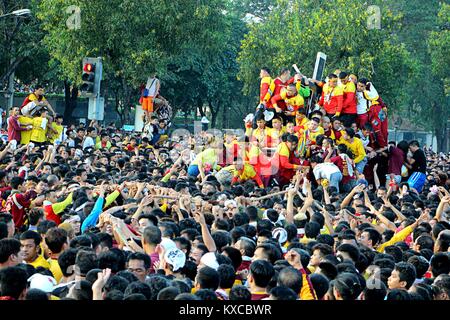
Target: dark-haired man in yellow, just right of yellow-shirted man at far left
56,240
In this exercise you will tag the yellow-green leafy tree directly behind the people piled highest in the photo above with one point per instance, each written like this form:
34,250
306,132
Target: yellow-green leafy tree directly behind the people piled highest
296,30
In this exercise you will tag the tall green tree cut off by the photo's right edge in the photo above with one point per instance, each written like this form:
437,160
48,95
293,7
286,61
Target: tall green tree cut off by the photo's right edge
426,104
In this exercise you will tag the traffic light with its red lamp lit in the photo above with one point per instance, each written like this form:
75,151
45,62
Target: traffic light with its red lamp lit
91,77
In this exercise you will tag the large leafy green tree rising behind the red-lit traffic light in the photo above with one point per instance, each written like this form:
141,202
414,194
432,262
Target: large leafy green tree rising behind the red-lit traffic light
134,38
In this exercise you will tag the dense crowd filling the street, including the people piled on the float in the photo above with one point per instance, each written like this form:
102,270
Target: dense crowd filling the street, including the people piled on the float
312,203
